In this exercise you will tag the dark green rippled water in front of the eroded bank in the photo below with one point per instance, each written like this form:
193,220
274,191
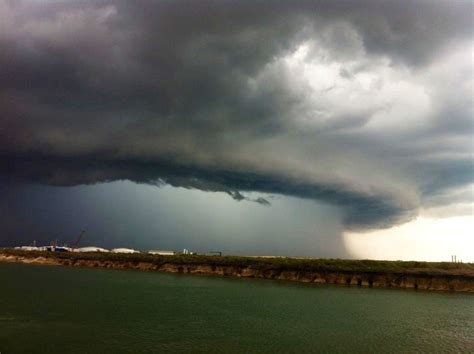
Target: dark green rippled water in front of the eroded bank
46,309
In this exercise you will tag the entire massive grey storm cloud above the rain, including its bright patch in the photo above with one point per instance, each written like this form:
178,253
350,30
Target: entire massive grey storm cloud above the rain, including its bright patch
365,105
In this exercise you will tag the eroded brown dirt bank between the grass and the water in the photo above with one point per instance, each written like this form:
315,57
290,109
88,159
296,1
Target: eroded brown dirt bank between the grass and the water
459,281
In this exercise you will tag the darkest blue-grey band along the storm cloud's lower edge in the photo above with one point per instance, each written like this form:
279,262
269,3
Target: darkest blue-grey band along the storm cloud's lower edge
360,210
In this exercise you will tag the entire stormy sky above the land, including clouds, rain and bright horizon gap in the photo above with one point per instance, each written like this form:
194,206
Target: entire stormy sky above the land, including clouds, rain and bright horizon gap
316,128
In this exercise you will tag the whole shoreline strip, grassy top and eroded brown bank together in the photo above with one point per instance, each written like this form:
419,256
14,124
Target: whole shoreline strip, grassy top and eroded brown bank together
439,276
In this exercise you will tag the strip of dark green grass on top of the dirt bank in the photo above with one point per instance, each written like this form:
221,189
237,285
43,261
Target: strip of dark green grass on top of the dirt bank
276,263
